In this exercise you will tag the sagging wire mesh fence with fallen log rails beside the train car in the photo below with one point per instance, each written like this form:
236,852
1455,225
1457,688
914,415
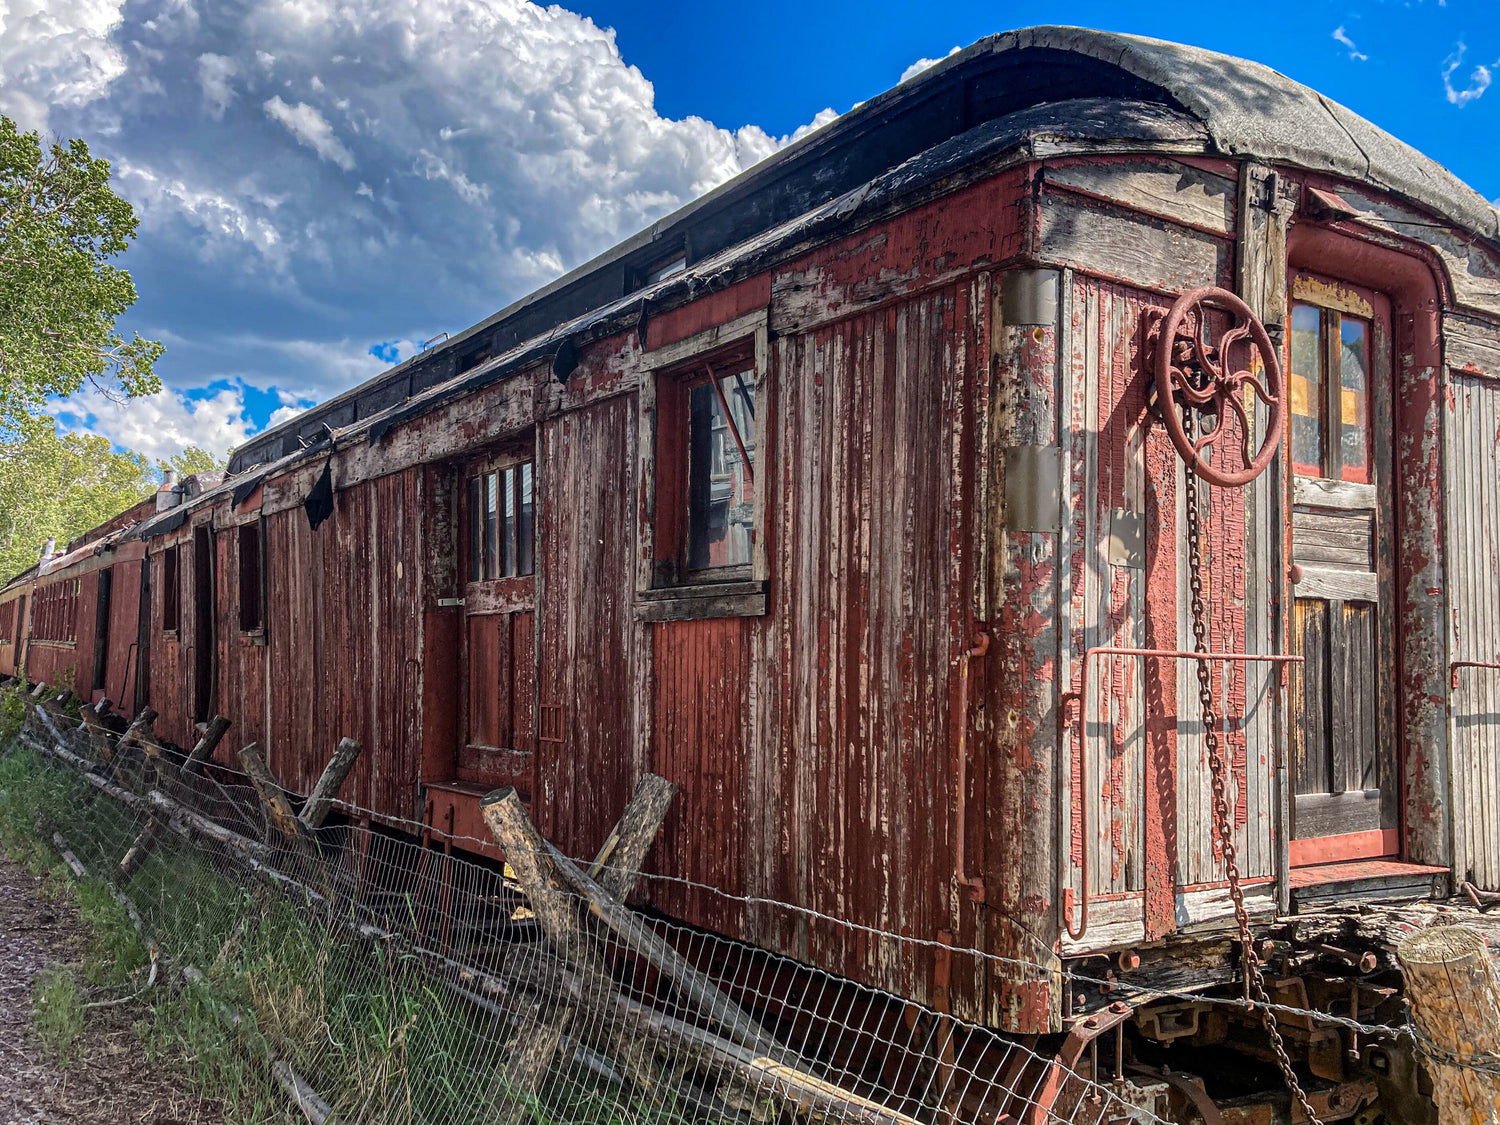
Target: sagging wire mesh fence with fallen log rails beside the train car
380,980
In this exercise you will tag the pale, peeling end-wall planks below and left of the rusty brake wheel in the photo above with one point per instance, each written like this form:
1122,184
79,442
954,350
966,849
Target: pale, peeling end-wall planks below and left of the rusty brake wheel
1142,743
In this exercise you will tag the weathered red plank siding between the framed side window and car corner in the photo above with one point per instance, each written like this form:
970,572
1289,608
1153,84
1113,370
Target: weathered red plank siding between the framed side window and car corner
875,454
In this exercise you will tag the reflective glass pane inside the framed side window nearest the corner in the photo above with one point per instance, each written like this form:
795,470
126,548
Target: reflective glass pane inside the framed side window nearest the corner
721,526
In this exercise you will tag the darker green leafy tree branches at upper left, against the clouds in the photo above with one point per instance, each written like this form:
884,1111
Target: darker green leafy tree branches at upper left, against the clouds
61,224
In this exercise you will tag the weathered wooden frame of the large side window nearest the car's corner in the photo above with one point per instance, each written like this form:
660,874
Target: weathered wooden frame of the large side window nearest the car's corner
667,587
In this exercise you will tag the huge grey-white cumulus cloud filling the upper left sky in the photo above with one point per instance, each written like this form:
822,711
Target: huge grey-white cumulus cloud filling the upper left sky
497,145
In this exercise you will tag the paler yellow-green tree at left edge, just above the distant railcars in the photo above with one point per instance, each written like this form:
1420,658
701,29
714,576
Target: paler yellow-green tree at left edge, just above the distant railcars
61,485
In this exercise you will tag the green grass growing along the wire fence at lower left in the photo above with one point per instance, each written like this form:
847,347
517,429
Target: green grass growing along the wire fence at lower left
373,1033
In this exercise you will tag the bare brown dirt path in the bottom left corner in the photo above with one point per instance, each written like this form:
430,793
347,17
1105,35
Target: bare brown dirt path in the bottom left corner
107,1078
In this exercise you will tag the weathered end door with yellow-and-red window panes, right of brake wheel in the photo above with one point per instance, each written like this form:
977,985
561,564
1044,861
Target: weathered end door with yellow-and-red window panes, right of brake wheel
1343,715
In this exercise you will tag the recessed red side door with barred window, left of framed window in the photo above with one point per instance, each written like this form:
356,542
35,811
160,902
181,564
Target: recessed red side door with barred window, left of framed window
499,640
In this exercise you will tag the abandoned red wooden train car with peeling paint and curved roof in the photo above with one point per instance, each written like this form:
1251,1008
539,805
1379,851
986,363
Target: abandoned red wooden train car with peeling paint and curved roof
869,499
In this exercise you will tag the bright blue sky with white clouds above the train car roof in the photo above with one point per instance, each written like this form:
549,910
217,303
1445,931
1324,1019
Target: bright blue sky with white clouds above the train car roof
325,185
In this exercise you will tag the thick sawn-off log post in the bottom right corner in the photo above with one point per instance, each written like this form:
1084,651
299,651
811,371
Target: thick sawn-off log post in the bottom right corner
1456,1012
